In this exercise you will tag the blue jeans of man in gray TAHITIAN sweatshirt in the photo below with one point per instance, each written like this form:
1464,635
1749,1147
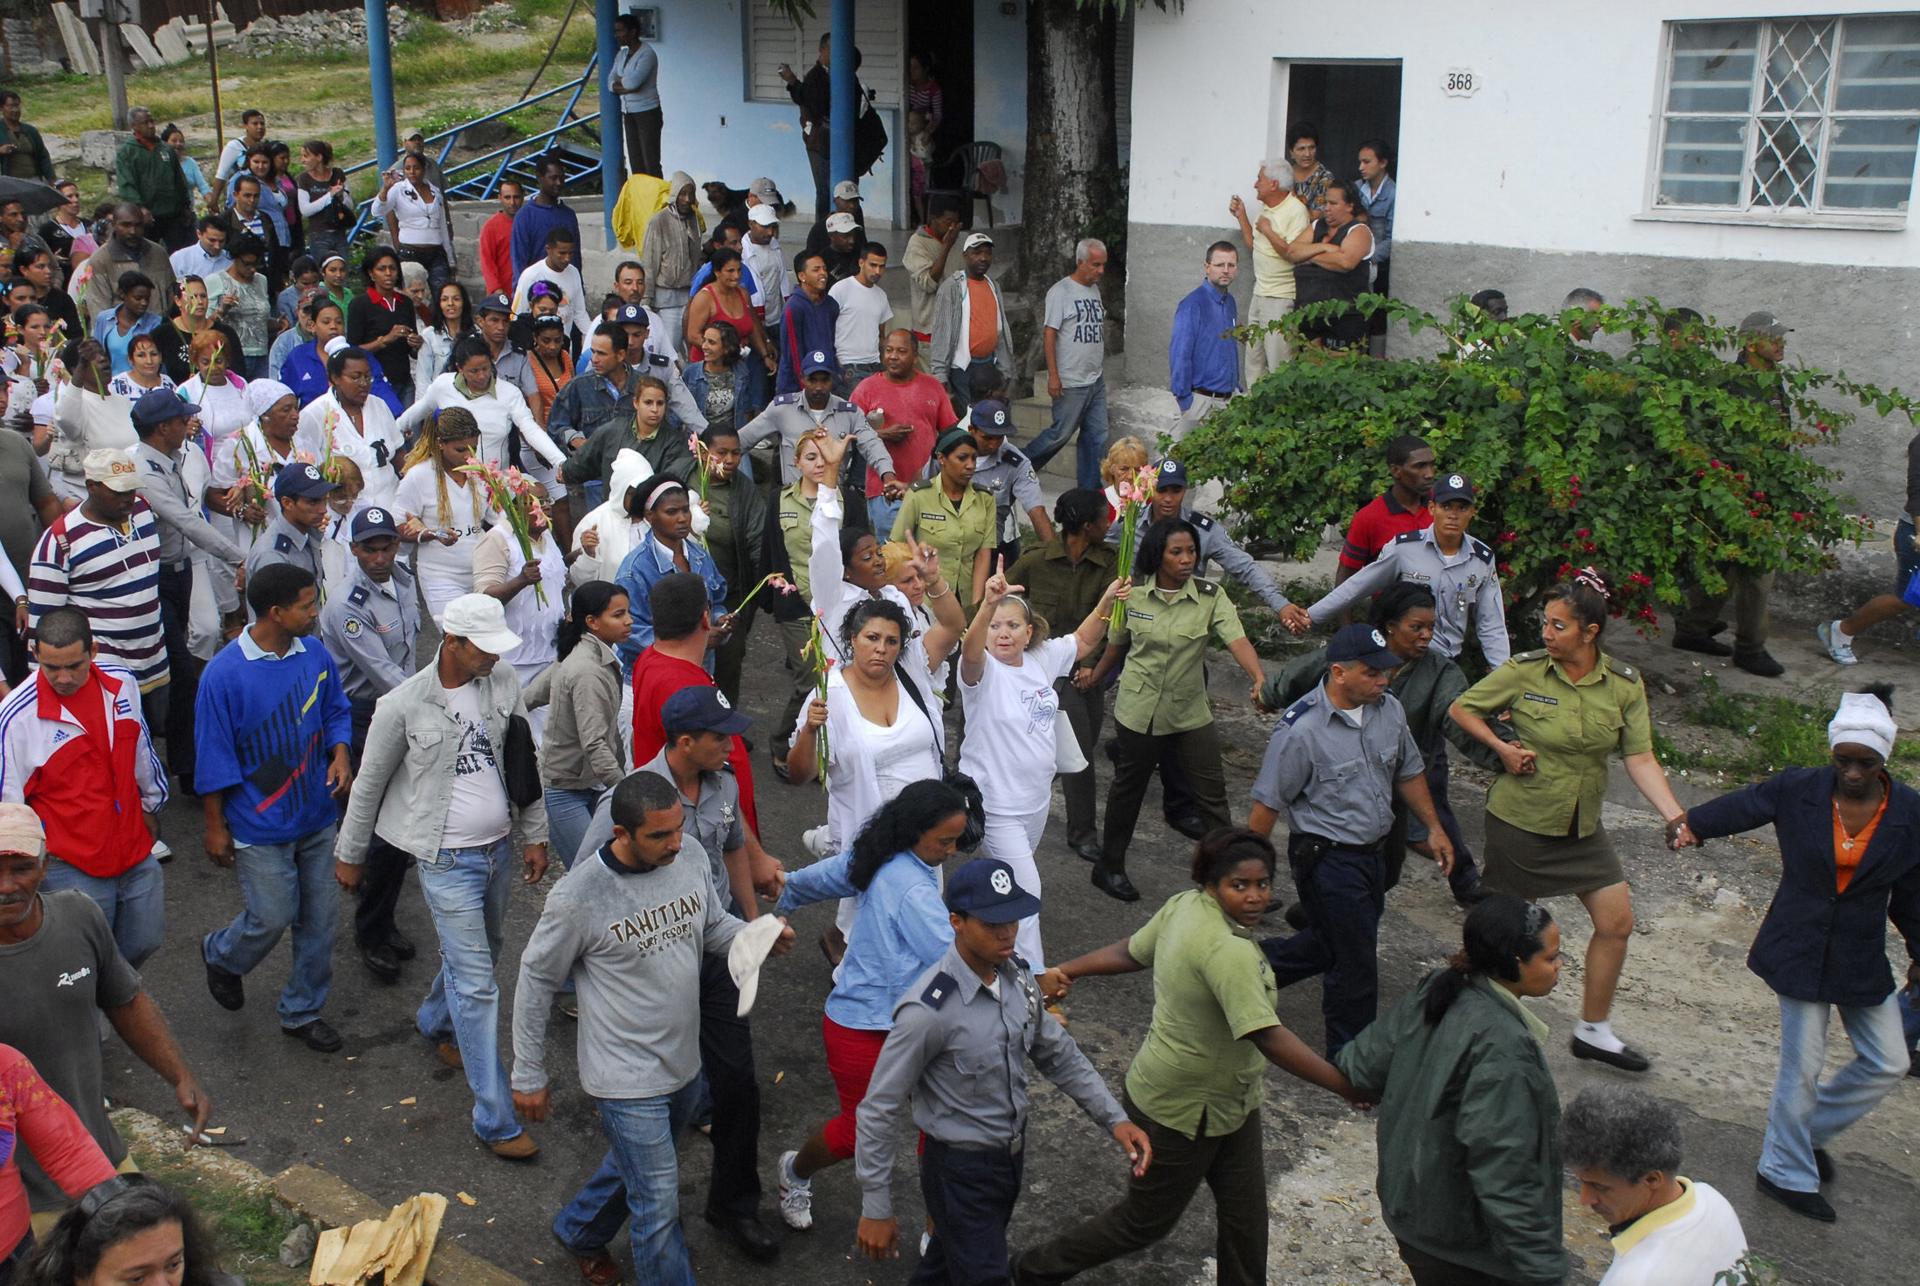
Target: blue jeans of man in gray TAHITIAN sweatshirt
638,1183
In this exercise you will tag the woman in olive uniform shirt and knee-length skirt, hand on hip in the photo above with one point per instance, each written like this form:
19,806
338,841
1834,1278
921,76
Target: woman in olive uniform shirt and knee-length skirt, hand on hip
1572,707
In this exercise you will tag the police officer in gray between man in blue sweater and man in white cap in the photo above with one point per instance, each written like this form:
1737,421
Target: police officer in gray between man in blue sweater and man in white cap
370,629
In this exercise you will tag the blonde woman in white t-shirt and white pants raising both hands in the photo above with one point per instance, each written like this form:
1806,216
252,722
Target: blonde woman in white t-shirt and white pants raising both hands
1007,688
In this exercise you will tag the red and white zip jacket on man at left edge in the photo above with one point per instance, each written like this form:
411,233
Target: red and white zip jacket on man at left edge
89,796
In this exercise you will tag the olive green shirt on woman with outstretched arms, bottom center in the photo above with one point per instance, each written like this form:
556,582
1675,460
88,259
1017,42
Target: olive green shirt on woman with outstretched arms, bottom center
1212,988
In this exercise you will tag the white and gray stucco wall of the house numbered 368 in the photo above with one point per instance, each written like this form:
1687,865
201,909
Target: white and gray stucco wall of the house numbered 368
1535,185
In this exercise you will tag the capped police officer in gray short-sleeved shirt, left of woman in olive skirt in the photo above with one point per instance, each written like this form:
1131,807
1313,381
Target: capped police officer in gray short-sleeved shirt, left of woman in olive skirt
1333,769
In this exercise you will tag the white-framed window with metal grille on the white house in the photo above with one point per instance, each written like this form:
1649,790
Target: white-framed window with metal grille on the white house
1790,120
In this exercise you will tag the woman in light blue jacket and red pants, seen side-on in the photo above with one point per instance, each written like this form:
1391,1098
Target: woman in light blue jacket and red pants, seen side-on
894,876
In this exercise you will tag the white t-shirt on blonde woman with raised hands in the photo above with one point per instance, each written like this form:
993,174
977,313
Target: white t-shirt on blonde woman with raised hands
1011,713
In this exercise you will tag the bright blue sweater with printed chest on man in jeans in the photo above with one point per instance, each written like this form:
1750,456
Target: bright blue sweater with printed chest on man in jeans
264,732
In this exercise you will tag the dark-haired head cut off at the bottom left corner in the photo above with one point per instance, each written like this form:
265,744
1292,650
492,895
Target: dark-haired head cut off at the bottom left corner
128,1229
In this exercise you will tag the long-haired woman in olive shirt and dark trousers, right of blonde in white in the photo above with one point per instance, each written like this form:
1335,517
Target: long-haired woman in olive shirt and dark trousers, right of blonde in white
1163,703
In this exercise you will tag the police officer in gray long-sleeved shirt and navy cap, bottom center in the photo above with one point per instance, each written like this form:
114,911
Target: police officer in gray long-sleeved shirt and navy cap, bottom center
959,1049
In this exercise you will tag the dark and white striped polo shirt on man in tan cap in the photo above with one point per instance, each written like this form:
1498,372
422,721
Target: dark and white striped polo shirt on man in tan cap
112,577
